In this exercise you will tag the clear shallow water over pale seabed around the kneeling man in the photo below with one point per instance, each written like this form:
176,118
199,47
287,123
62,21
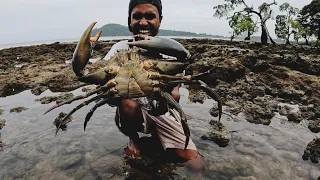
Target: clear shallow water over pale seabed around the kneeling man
33,152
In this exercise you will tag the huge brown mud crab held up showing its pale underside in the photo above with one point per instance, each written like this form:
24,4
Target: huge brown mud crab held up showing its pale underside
130,74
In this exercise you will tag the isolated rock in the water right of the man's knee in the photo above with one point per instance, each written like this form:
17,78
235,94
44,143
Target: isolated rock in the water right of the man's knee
218,134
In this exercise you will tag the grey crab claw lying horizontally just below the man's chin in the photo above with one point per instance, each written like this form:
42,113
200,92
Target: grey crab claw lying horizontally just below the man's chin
163,45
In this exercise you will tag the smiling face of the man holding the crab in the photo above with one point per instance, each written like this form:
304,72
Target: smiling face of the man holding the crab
145,19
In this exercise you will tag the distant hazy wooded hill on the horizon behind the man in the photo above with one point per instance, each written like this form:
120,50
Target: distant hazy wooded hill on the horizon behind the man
120,30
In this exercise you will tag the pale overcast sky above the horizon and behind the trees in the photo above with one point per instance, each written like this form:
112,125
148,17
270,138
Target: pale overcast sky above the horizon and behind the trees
36,20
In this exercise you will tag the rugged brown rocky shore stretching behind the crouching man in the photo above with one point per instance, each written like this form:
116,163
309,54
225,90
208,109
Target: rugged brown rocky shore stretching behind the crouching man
254,81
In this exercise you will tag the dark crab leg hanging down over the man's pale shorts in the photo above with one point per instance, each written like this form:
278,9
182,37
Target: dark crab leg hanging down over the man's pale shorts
177,106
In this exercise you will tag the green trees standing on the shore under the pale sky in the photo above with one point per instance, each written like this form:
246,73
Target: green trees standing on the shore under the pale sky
301,24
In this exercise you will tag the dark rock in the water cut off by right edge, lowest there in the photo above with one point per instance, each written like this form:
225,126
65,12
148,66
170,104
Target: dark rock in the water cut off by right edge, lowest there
312,151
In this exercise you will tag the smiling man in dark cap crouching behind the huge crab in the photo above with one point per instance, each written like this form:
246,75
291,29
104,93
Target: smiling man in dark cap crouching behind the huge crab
134,116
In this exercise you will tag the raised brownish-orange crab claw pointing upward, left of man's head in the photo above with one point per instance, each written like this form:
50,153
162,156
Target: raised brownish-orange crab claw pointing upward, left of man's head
82,53
